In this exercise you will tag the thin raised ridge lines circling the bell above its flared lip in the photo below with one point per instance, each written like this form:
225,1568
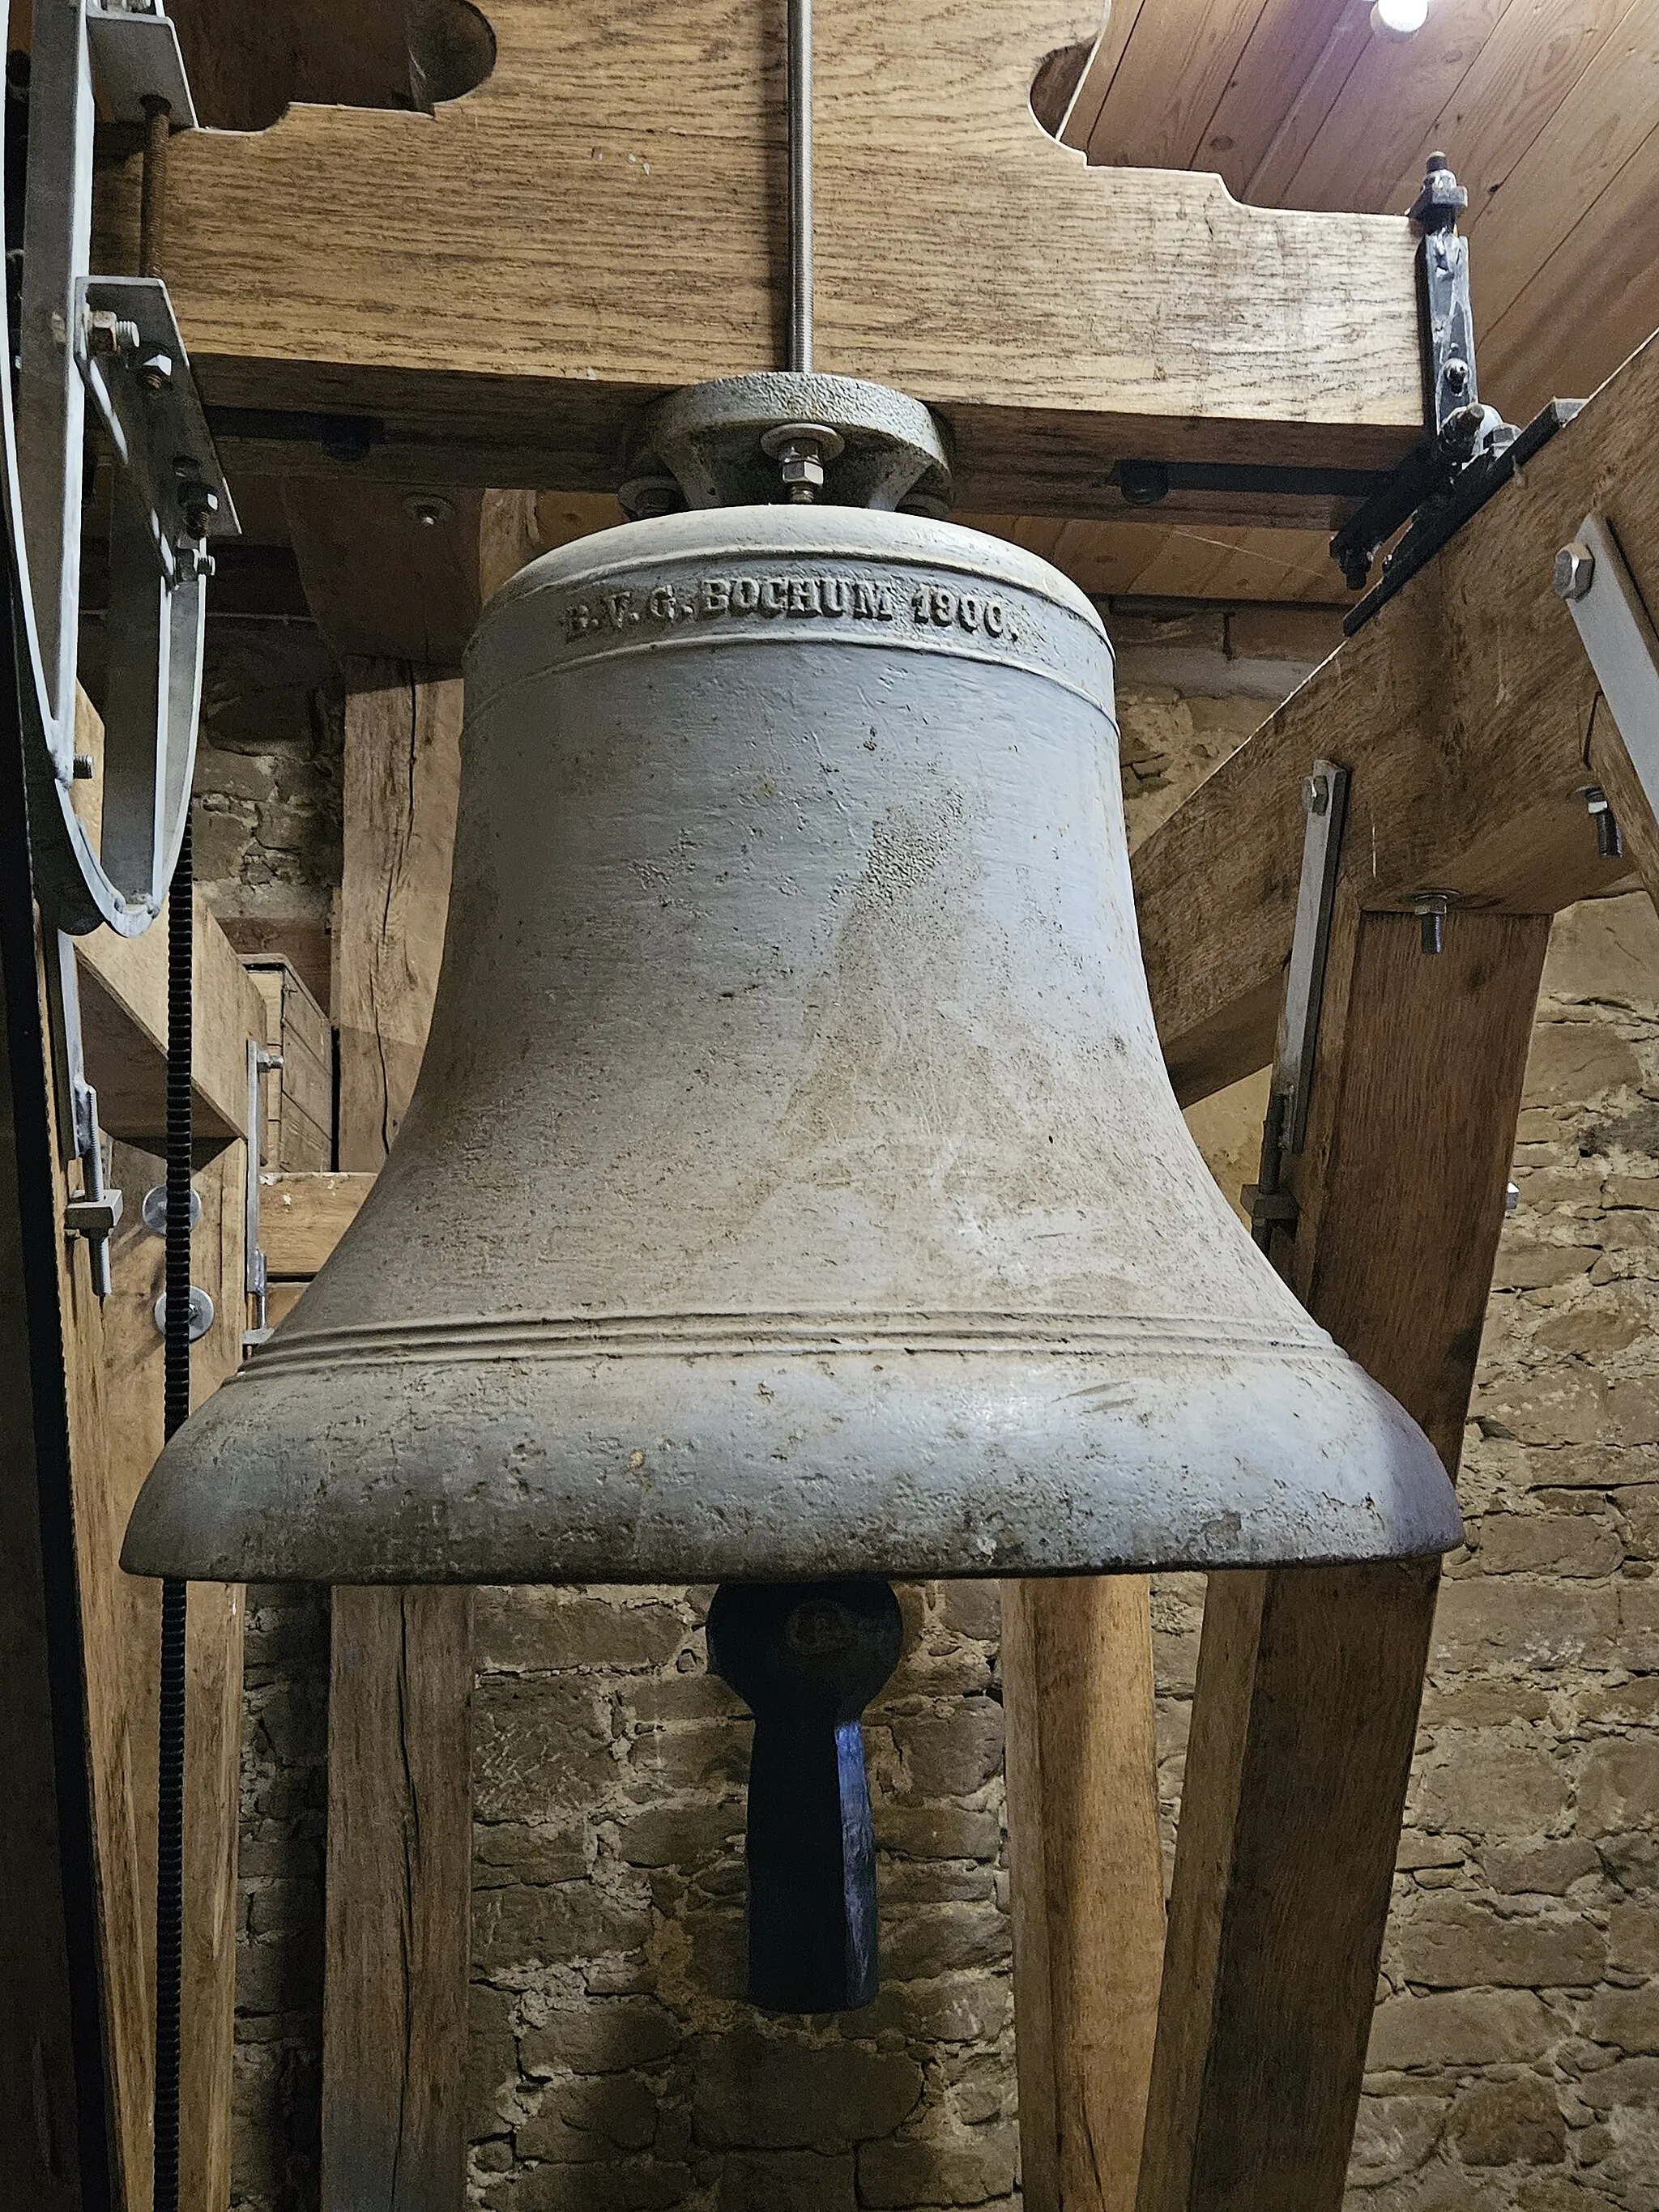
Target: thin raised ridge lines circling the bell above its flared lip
731,1335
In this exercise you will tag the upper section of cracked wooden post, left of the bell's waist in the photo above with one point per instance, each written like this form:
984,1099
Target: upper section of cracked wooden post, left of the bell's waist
401,780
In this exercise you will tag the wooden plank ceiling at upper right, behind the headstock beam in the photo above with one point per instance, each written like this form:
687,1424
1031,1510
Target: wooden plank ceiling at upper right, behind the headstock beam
1547,109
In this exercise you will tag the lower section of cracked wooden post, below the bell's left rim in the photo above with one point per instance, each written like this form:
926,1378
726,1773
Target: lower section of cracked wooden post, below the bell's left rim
399,1866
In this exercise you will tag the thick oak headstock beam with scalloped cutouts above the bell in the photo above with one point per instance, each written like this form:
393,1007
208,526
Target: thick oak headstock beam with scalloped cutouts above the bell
490,282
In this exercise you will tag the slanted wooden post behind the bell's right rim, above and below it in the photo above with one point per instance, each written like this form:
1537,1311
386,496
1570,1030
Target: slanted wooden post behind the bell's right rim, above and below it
1308,1682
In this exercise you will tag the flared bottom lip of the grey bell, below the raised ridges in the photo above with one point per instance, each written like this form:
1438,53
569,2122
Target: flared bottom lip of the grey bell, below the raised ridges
1012,1470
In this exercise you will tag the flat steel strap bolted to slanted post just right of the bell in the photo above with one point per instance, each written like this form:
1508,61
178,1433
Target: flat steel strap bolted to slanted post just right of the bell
1293,1076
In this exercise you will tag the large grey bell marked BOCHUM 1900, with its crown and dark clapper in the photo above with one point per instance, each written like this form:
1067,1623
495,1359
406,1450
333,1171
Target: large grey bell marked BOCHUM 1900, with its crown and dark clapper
793,1189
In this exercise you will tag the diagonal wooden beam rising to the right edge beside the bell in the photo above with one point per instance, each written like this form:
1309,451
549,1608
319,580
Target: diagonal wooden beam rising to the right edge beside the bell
1463,711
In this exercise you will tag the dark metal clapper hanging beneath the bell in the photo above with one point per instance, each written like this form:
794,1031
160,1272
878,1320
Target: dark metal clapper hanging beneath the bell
806,1658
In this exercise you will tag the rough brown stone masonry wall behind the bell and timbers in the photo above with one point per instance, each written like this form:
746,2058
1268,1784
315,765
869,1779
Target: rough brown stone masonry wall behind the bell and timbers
614,2069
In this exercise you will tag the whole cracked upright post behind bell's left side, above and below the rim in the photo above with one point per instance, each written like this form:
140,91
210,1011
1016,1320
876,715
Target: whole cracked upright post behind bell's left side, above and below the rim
399,1775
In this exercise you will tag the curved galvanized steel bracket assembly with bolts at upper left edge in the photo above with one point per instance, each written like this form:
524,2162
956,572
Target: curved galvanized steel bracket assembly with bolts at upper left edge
112,342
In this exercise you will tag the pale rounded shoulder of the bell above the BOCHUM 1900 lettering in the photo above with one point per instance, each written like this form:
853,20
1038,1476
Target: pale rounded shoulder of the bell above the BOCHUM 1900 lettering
848,532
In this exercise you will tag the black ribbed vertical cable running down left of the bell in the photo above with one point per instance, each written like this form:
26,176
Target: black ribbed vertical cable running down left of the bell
176,1410
